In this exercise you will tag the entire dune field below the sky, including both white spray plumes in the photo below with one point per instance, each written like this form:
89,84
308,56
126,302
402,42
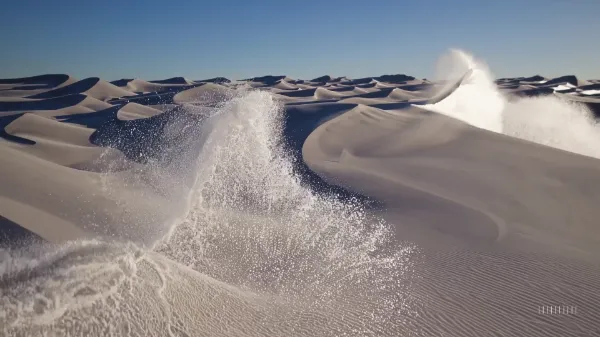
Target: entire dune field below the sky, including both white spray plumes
273,206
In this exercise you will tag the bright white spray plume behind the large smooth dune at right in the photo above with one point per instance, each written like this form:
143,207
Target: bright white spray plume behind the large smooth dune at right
546,120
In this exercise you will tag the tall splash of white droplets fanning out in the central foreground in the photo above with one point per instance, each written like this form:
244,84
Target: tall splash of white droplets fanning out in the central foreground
254,225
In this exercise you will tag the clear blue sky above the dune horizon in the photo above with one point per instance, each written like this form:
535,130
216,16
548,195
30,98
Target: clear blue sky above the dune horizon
300,38
